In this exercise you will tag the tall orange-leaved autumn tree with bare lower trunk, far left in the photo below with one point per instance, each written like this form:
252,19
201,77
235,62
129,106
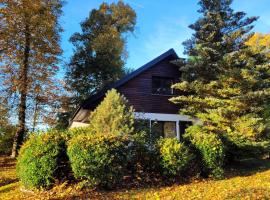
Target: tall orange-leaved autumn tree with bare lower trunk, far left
30,38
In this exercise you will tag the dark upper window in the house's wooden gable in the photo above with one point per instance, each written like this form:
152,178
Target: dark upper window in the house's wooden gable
162,85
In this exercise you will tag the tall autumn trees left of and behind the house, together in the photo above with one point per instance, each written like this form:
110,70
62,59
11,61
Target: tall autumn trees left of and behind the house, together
30,59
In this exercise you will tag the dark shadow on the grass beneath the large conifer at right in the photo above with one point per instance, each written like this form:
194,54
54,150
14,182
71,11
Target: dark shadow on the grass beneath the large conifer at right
247,167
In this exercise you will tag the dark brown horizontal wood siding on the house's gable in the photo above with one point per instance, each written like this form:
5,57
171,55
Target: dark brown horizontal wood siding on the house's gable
139,90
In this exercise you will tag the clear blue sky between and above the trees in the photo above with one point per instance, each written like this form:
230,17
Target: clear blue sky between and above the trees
161,24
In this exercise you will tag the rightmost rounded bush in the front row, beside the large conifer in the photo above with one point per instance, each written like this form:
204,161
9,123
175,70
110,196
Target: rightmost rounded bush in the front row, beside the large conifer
210,149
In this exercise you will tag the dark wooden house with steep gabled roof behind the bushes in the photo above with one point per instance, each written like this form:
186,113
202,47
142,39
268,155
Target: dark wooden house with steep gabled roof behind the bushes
148,90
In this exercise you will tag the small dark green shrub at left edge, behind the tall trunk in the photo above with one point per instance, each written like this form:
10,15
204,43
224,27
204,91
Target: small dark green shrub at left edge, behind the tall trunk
6,139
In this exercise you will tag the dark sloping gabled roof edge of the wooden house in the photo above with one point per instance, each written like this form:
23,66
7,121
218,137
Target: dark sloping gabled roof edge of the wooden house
170,53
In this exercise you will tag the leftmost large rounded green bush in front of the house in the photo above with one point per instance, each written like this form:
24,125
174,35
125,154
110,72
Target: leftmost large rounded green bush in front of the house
42,159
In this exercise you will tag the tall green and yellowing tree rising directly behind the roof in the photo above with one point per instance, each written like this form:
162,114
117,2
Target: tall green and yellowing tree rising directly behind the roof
100,52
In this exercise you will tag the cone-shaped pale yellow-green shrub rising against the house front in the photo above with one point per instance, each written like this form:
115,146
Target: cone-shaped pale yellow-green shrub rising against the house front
112,116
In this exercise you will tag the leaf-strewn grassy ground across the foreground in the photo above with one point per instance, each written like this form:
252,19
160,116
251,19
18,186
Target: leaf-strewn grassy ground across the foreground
248,179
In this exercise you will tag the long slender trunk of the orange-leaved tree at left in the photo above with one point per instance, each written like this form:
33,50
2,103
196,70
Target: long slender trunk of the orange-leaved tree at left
18,138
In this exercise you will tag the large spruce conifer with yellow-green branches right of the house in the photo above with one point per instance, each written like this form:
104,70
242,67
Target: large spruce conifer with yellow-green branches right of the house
226,83
